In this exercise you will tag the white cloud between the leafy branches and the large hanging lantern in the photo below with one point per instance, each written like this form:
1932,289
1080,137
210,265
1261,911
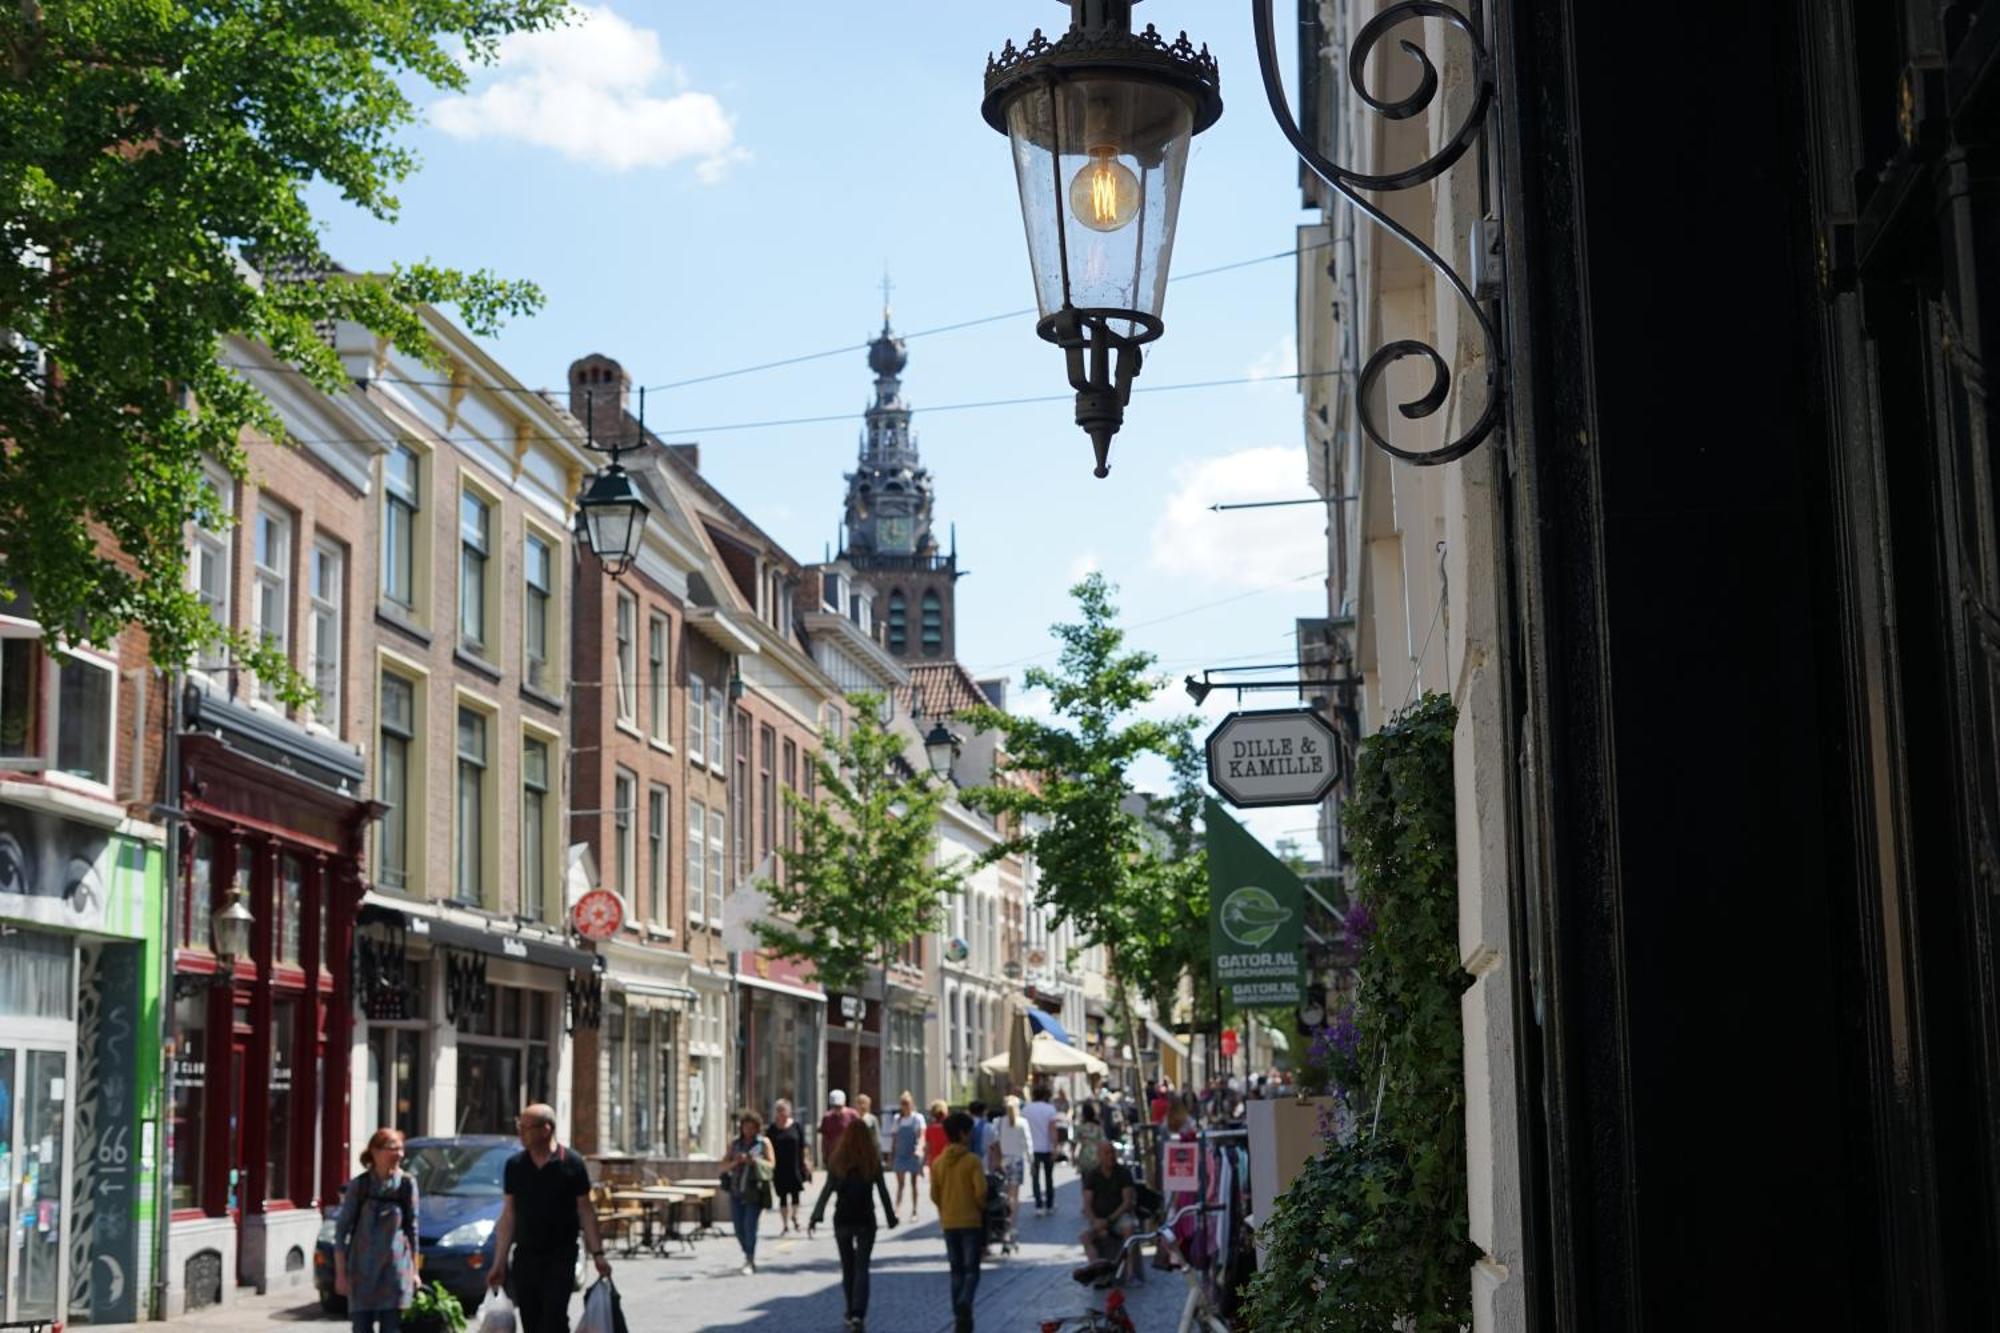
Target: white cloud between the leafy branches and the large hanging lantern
597,91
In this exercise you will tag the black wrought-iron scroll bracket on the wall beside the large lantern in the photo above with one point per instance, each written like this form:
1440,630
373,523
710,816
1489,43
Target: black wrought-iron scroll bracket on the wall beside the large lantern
1349,185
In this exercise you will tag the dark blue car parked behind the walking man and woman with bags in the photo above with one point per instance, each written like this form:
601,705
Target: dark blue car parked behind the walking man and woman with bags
459,1208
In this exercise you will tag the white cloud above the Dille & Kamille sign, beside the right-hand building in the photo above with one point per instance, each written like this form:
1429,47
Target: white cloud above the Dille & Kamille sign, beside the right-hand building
1247,547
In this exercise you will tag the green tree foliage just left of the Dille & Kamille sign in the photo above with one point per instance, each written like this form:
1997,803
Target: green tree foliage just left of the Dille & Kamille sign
1105,868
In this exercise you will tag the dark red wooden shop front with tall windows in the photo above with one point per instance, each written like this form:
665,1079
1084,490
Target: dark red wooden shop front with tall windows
263,1042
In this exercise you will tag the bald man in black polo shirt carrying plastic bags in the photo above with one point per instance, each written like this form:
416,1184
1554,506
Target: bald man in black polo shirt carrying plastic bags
547,1206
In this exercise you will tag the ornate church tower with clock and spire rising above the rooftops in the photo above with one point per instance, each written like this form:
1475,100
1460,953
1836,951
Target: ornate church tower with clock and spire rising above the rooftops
889,537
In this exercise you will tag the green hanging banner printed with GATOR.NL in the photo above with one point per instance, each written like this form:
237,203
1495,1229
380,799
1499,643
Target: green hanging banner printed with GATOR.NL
1257,918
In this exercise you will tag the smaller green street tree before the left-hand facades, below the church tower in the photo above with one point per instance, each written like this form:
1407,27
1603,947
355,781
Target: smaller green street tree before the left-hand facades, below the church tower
865,878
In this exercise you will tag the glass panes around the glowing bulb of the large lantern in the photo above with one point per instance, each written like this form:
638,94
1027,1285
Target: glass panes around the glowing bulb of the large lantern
1109,159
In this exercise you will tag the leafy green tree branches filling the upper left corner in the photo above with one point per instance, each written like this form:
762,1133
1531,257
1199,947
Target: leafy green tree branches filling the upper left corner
153,169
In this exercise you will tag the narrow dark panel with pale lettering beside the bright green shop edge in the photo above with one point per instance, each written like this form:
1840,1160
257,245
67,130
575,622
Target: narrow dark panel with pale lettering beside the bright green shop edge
115,1168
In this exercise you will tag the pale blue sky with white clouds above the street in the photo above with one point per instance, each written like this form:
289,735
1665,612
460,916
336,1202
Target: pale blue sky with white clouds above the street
705,187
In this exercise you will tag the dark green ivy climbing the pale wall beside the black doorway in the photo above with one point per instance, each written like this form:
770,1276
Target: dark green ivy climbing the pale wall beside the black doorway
1377,1224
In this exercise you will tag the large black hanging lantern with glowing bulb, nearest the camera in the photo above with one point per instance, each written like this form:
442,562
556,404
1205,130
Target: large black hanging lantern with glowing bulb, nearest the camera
1101,125
